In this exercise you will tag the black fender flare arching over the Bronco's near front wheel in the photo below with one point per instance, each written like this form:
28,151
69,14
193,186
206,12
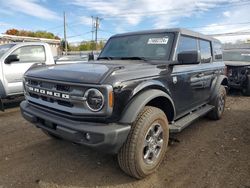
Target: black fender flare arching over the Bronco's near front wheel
139,102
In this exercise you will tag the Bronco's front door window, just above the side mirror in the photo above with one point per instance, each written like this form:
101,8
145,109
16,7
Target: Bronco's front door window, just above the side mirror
186,44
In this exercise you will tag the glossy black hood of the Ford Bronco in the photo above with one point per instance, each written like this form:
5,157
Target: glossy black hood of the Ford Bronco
96,72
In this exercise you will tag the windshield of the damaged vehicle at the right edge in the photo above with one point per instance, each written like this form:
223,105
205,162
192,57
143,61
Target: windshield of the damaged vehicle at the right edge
236,56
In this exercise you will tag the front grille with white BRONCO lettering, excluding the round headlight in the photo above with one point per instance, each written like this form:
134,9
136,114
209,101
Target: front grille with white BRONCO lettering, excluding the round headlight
63,97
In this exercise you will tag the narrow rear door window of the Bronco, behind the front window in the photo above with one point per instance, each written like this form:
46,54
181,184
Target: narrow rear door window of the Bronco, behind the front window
206,52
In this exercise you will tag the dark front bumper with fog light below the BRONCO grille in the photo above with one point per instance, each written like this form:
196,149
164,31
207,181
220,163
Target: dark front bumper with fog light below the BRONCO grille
105,137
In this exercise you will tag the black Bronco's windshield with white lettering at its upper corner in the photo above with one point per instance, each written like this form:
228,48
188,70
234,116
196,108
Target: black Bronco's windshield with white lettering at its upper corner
156,46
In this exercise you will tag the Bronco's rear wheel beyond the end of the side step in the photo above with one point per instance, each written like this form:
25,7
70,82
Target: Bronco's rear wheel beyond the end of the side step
218,104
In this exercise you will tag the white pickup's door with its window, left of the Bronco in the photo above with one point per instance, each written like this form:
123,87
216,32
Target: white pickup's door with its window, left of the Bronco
13,72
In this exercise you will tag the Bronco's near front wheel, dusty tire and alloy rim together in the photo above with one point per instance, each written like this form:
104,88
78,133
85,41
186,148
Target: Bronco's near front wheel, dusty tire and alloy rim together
146,145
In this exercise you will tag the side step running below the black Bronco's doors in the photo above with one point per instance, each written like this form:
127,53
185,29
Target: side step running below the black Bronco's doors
180,124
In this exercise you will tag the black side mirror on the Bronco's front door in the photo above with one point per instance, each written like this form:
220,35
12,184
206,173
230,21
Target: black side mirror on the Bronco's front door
189,57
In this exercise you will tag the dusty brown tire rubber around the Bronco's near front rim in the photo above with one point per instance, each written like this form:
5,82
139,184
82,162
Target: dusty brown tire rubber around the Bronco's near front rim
131,156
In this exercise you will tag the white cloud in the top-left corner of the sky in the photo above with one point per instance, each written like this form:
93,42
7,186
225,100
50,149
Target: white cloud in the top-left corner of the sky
28,7
